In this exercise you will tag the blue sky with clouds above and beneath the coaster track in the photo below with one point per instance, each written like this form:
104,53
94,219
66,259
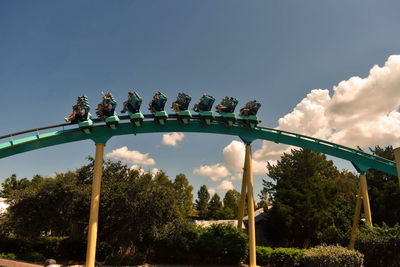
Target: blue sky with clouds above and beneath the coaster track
274,51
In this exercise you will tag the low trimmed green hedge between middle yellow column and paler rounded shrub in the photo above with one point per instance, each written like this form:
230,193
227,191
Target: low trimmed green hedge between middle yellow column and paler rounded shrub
279,257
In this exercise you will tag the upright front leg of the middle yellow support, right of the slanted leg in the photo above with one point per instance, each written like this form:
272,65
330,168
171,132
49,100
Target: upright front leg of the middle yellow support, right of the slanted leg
250,206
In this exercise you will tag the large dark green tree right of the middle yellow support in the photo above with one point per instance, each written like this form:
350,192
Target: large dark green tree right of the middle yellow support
312,201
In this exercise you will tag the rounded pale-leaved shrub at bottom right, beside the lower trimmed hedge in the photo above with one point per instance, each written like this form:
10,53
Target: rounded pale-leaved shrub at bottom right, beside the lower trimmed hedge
332,256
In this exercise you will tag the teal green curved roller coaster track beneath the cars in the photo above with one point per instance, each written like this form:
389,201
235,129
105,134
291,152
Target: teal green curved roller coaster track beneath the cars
101,133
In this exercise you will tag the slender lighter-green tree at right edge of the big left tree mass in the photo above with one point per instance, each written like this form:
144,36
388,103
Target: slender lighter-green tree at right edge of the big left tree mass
184,193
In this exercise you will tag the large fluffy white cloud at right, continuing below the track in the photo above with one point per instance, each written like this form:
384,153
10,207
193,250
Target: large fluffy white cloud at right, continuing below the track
359,112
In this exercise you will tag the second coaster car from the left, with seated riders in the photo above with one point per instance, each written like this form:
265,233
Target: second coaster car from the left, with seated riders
106,111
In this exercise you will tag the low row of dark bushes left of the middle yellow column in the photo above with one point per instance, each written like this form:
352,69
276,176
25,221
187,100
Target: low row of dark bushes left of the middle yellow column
220,244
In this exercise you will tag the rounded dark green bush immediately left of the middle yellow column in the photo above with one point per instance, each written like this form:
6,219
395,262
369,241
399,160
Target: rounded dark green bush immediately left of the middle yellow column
220,244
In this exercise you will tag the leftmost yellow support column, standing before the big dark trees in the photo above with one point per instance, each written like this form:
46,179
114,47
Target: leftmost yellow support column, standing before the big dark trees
94,206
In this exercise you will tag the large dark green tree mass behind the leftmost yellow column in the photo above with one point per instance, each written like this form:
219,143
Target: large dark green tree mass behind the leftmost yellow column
138,211
